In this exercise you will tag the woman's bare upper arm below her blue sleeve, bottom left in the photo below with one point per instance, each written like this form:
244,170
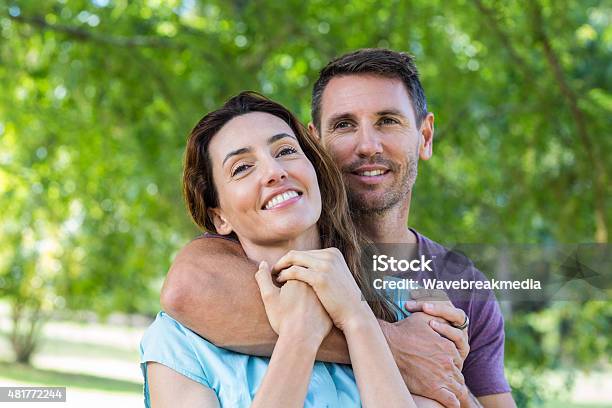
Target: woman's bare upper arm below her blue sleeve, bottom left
169,389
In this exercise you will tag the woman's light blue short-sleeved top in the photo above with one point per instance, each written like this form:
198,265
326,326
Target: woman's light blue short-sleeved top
236,377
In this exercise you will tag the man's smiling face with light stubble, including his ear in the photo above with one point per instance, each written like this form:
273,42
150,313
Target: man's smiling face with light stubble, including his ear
369,126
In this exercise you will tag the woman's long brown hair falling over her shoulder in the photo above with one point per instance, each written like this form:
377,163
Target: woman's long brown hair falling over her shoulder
336,227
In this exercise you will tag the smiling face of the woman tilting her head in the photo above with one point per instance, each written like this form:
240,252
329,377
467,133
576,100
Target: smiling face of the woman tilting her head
267,188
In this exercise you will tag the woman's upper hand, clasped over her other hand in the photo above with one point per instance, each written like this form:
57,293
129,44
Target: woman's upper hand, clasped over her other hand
326,271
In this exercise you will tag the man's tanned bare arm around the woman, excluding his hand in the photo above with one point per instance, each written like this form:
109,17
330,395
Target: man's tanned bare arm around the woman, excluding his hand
210,283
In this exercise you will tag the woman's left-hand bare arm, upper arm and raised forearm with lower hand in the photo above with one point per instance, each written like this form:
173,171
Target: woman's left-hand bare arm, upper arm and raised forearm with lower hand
302,324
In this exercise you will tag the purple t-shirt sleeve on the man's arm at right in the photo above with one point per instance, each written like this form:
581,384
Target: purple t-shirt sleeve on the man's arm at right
483,369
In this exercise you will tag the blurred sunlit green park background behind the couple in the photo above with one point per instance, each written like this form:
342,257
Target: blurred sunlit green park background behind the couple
97,98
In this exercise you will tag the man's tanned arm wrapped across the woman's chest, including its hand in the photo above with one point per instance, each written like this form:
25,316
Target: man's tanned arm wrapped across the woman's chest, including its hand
211,282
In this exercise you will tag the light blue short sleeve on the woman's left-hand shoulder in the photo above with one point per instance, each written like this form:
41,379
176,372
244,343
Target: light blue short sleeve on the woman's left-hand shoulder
168,343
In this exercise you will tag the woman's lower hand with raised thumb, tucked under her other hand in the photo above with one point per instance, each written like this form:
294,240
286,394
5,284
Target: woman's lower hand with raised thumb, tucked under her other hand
293,309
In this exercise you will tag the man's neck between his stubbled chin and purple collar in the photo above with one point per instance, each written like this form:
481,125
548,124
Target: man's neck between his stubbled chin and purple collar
389,227
